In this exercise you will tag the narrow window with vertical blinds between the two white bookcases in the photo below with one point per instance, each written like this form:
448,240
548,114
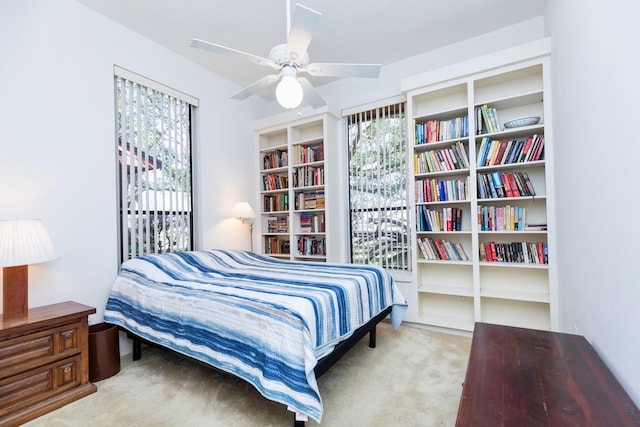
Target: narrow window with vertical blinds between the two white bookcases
378,187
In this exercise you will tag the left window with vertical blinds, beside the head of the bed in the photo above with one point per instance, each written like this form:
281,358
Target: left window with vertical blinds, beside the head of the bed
153,142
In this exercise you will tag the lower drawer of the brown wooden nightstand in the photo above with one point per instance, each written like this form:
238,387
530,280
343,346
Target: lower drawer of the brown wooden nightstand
36,385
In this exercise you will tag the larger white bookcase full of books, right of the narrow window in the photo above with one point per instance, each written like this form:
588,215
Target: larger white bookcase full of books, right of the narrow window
518,286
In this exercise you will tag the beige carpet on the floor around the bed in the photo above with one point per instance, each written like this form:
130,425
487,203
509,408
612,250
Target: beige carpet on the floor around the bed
412,378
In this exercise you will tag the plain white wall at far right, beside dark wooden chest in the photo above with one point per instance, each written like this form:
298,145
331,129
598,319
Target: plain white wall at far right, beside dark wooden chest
596,88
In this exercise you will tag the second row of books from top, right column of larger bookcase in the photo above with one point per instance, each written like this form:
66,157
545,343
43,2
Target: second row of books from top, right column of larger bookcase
502,152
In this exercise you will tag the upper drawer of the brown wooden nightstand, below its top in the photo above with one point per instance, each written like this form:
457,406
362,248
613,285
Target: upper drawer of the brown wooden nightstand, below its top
28,351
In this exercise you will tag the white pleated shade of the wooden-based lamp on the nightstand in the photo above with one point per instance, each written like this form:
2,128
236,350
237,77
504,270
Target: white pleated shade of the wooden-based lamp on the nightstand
24,242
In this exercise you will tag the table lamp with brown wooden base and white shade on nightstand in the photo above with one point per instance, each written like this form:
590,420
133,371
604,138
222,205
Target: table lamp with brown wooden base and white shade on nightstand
22,242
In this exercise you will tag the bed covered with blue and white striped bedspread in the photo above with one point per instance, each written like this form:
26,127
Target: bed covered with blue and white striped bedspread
277,324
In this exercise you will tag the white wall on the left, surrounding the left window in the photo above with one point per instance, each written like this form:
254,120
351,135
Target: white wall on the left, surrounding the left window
57,154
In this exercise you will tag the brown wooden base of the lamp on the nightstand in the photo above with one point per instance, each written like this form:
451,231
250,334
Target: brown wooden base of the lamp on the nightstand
15,292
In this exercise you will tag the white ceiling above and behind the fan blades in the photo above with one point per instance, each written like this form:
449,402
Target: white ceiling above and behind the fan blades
351,31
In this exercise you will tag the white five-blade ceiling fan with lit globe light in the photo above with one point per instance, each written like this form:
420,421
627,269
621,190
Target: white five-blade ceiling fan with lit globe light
292,59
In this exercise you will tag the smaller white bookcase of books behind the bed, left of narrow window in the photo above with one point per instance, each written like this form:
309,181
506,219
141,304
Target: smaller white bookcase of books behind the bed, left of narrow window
302,211
